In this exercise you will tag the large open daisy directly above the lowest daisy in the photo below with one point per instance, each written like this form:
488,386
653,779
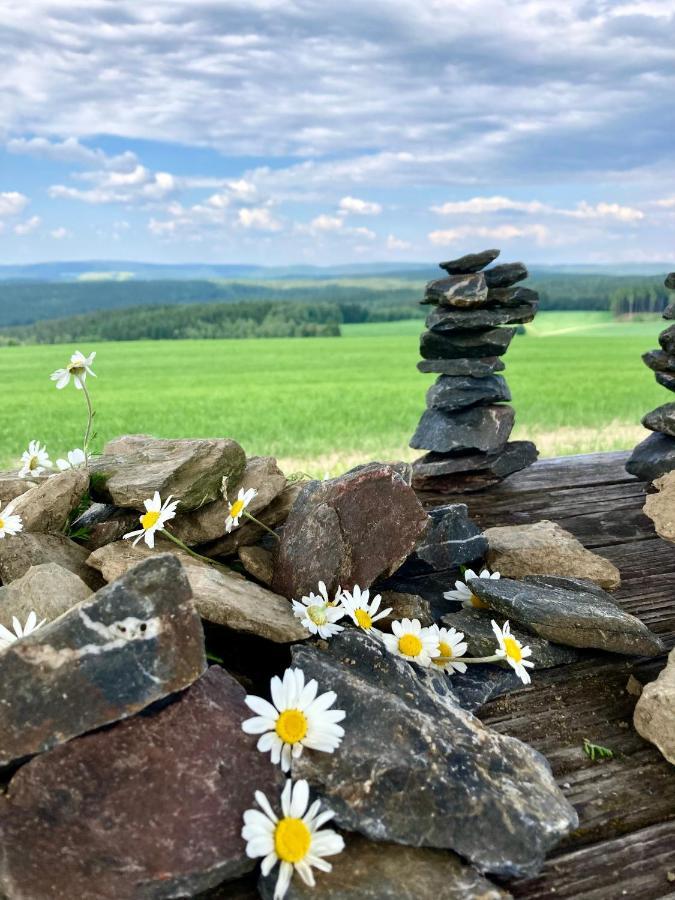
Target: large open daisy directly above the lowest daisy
299,718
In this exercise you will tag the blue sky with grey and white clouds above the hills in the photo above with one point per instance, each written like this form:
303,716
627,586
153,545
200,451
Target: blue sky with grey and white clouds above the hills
330,131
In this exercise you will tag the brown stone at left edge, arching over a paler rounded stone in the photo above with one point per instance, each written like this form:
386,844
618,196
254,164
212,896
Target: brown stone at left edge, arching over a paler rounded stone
26,550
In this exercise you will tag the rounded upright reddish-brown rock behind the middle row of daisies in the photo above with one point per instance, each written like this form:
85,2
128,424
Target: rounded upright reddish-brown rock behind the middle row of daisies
348,530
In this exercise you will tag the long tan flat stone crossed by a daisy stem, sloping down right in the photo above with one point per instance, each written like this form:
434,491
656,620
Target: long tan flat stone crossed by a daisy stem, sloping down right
219,595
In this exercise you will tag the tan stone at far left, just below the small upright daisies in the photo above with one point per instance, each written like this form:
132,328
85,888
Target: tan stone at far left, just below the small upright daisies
47,506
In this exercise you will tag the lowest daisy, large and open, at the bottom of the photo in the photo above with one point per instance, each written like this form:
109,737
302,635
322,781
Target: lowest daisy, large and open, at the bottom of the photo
296,840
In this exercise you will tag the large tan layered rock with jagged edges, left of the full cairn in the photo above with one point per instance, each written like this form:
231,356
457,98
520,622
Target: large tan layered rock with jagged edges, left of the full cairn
133,467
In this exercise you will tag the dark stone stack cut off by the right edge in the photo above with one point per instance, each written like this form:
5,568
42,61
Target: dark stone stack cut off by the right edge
655,456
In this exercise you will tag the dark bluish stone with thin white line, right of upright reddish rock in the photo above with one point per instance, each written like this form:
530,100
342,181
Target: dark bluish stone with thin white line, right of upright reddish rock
451,538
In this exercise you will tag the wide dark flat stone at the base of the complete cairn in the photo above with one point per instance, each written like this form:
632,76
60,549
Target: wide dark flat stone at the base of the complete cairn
472,471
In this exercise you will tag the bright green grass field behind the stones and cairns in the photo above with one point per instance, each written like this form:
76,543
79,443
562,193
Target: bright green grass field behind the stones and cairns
577,381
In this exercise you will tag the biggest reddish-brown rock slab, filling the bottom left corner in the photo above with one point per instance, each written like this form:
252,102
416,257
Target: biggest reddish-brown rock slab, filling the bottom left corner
150,808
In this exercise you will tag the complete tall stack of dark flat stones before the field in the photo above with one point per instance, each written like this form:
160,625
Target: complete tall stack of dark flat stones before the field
467,423
